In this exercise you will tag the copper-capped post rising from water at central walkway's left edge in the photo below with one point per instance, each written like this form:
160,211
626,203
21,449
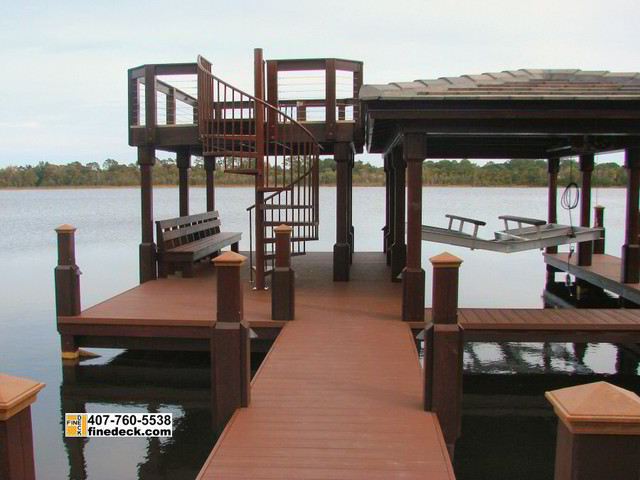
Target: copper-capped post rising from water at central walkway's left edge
230,354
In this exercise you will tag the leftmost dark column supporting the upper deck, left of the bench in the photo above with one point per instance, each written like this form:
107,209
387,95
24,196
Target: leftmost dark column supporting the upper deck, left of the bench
146,160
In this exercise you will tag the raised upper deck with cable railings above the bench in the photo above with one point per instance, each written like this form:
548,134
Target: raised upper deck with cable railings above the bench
321,94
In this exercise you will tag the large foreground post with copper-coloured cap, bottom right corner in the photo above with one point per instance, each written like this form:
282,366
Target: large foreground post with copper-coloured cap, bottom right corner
598,432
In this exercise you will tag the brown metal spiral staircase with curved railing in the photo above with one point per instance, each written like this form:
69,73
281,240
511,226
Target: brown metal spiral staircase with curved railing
247,136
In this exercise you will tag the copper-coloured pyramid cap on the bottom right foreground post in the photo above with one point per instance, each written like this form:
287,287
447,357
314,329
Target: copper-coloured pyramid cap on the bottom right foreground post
597,408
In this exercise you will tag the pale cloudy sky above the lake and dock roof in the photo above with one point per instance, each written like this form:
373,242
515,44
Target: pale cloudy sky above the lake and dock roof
64,89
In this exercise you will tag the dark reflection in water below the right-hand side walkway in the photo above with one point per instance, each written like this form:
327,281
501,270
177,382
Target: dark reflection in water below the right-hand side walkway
508,427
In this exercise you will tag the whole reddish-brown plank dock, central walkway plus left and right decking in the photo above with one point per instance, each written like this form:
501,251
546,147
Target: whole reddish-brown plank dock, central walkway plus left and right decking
340,393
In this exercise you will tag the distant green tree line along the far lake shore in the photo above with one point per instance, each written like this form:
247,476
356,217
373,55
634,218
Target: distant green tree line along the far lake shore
515,172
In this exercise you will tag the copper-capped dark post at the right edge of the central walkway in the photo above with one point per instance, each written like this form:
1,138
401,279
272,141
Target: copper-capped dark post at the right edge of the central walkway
443,350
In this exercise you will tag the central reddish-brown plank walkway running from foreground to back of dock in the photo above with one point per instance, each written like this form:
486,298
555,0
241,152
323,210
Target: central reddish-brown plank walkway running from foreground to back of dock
340,394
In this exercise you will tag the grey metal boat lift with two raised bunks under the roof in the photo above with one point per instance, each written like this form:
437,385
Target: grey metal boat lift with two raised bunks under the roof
536,234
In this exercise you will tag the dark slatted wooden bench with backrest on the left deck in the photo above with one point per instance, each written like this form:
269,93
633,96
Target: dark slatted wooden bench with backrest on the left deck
183,241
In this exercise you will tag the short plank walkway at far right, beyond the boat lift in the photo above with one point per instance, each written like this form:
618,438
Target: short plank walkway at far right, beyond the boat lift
604,272
